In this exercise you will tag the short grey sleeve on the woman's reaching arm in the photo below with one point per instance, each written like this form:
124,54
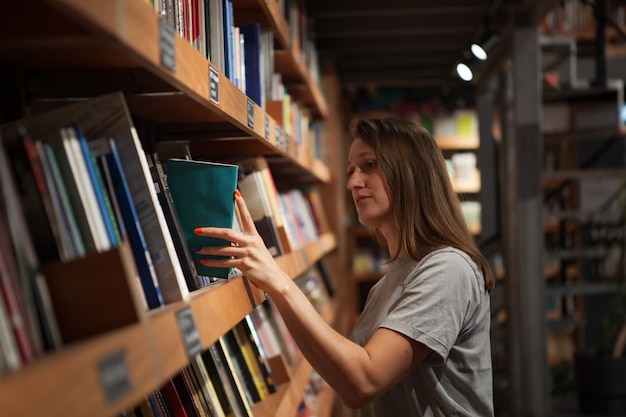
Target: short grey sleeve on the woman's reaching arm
436,297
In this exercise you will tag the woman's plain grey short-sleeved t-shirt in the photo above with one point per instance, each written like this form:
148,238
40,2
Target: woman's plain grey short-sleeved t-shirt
441,302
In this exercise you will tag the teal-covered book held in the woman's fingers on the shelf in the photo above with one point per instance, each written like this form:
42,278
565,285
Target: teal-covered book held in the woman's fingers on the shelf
203,195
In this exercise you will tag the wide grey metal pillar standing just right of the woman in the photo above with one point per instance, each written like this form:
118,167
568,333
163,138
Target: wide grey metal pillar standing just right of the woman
522,228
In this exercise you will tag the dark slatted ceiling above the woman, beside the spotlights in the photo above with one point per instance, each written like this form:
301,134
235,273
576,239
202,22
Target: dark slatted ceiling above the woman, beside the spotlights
410,46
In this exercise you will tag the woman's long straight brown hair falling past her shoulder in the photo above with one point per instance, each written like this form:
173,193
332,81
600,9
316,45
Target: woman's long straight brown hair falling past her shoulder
426,208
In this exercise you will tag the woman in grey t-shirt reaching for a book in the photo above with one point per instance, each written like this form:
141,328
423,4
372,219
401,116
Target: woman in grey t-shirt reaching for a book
421,346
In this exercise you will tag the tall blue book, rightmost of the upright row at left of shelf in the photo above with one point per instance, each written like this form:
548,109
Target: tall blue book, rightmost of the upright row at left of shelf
134,232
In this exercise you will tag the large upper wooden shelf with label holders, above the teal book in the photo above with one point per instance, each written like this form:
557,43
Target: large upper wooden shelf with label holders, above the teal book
123,35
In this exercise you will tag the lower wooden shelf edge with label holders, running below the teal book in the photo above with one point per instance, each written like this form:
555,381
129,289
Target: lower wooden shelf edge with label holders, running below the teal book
153,351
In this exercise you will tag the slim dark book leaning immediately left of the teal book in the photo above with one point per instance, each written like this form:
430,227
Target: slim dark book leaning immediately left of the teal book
171,216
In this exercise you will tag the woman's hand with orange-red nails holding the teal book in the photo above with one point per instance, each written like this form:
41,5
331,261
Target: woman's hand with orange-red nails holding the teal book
247,252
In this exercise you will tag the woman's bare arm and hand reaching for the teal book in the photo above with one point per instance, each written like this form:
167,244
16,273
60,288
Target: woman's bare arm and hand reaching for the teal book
356,373
